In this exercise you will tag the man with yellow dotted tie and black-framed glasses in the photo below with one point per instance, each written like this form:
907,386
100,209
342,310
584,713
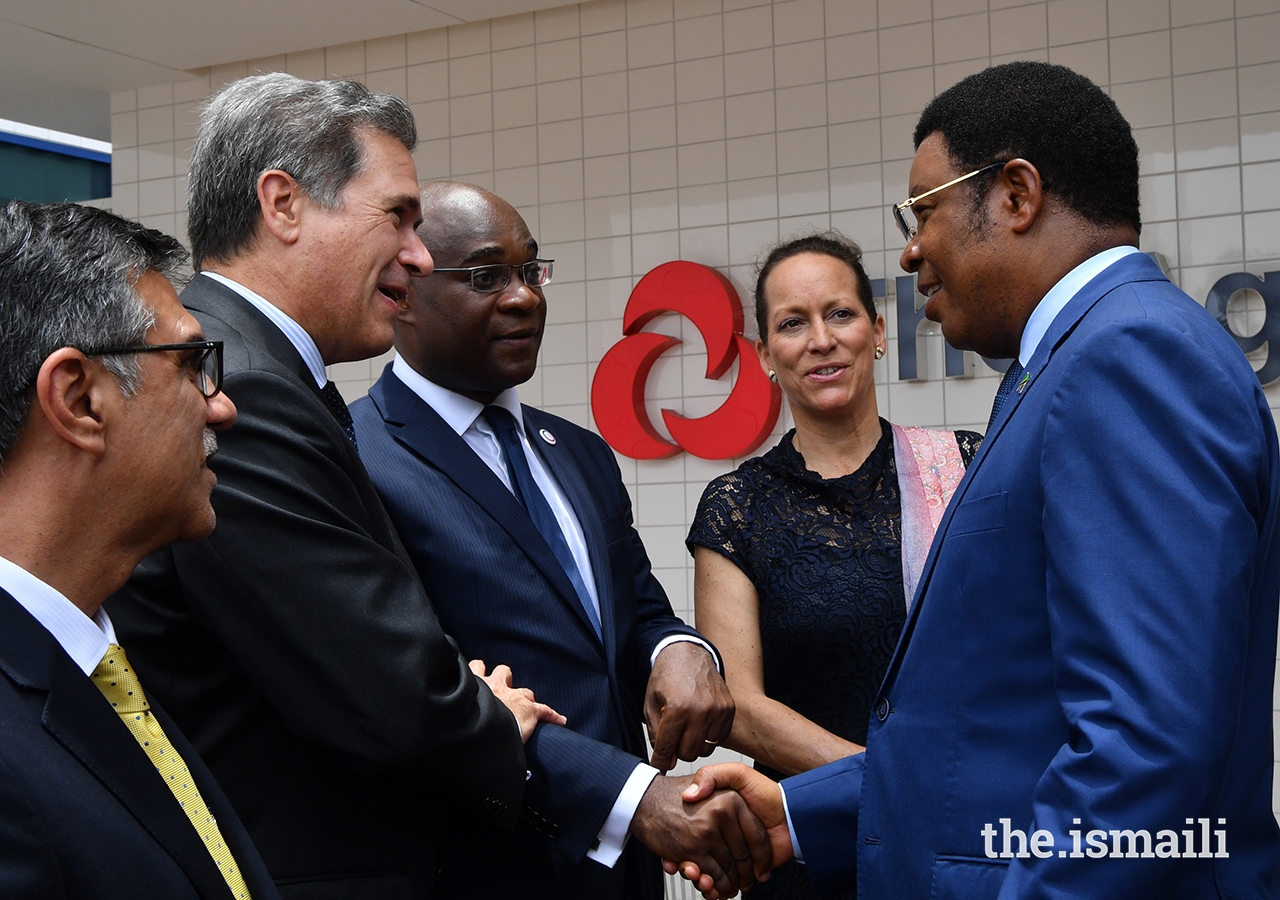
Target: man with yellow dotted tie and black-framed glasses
109,395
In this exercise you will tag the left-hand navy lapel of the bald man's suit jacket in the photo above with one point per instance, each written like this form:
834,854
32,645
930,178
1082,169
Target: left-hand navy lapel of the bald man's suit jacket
419,428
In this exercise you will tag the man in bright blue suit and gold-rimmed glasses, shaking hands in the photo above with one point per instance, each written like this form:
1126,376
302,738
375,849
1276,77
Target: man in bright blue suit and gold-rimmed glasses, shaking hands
1081,701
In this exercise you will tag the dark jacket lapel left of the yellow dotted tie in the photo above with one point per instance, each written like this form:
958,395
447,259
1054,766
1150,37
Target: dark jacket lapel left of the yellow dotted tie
79,718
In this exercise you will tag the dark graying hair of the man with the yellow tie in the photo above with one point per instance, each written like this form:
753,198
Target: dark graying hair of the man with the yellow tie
67,280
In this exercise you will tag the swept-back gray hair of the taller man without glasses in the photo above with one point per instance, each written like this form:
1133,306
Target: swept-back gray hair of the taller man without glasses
307,129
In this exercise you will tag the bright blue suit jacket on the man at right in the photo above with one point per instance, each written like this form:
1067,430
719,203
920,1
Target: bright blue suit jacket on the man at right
1095,634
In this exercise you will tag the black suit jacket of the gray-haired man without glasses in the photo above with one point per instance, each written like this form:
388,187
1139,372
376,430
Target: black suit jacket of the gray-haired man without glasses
299,650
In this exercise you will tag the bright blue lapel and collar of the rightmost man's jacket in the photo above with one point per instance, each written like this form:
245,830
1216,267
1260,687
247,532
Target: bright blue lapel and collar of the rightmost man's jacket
1133,268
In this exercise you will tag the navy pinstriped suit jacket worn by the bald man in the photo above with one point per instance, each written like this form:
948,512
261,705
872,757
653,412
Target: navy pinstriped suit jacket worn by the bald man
505,599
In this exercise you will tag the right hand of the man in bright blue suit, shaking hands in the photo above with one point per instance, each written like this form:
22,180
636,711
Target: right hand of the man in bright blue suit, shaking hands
765,800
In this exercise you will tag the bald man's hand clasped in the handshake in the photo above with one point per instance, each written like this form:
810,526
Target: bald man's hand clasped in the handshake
726,843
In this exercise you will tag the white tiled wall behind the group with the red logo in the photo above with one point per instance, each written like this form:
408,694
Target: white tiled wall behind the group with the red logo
632,133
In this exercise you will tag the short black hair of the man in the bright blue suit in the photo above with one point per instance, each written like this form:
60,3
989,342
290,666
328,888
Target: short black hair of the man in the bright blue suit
1053,117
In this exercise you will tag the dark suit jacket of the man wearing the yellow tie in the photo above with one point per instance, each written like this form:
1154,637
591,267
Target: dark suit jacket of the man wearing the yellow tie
84,814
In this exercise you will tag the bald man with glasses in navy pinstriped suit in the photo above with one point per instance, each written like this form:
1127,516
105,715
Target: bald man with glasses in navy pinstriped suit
520,527
